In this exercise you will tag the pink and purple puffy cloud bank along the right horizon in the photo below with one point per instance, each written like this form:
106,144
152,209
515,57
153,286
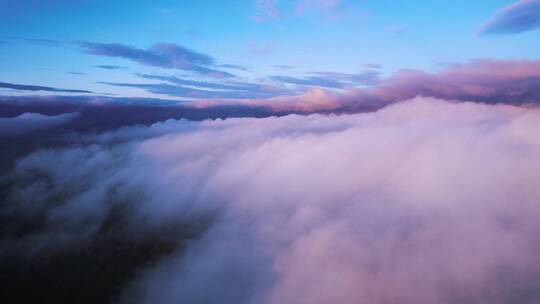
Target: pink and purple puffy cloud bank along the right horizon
482,80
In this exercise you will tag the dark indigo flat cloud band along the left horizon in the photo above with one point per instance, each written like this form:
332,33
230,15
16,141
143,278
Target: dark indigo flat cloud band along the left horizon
100,113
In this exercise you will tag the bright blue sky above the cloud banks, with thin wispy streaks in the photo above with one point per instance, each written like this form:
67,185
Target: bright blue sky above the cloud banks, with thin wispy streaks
283,45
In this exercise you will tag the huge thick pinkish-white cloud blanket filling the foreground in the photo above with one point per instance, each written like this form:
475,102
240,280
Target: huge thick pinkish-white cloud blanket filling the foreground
424,201
